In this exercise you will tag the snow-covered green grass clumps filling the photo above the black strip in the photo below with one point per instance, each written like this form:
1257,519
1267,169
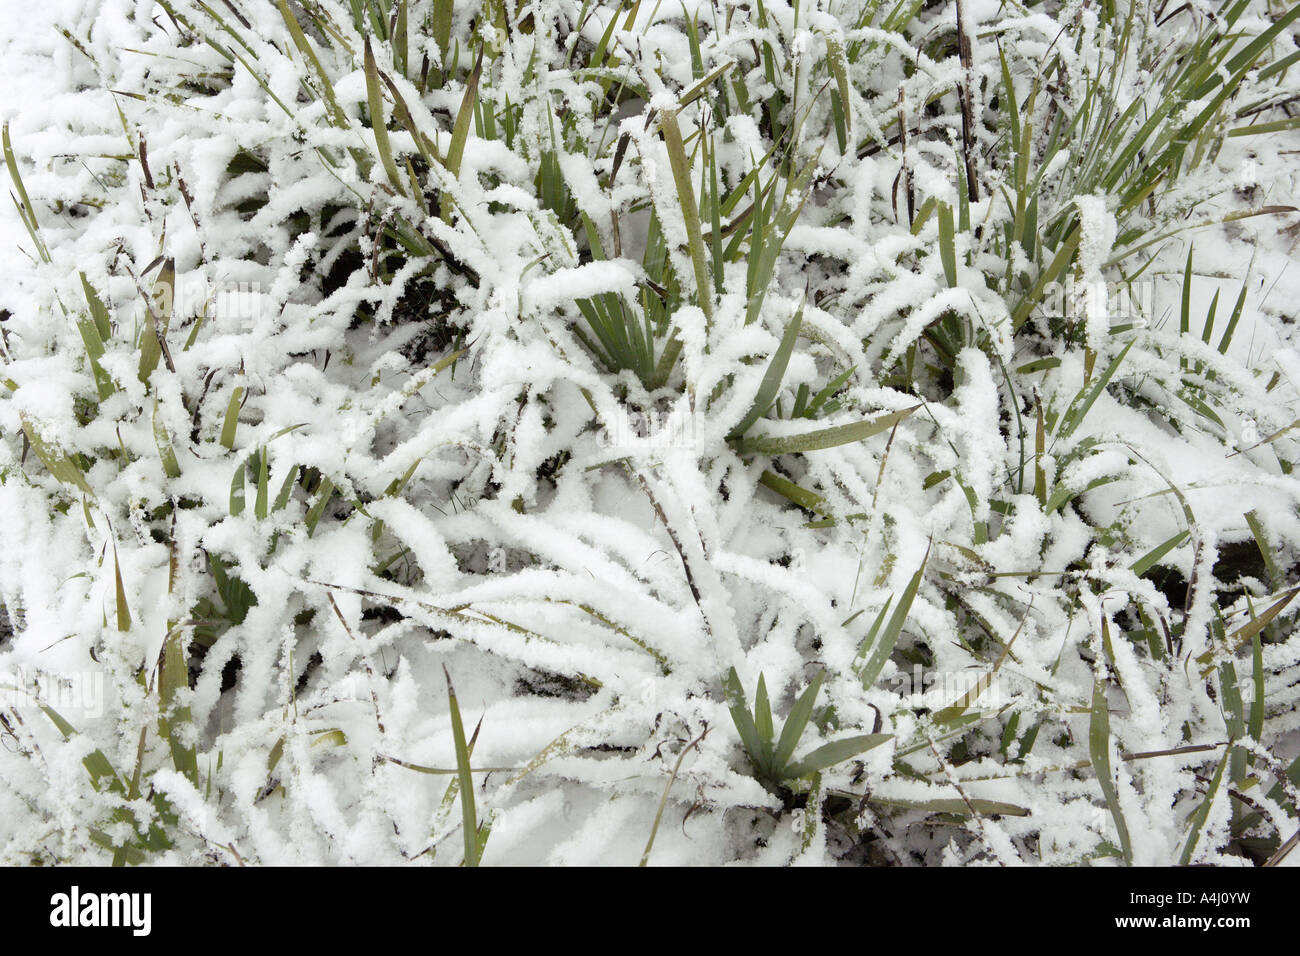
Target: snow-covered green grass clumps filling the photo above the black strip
801,432
